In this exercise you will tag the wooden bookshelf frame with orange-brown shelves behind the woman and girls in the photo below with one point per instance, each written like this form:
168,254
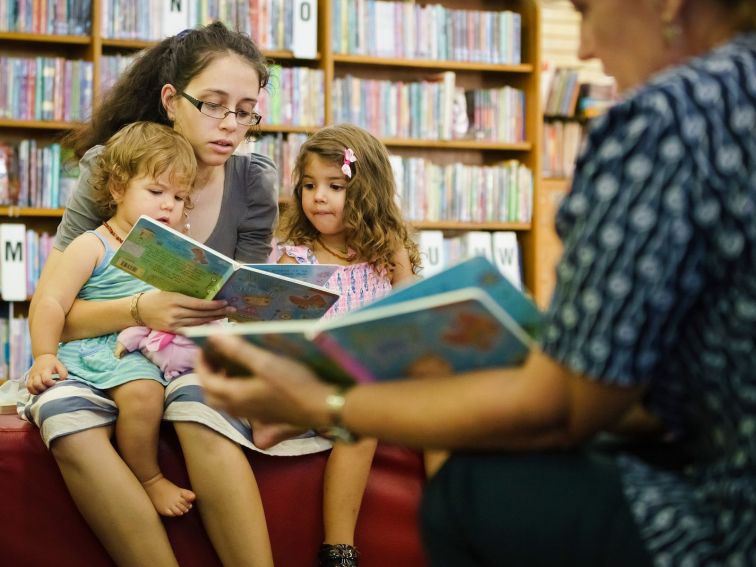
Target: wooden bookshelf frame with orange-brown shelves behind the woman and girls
535,239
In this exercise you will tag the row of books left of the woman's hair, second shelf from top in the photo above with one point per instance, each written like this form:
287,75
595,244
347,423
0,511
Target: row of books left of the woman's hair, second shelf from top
45,88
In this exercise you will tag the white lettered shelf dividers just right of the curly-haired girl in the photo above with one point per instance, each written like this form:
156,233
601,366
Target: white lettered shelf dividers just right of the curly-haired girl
439,251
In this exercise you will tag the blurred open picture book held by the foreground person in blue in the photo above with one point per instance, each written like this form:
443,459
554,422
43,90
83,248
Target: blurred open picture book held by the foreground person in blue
466,317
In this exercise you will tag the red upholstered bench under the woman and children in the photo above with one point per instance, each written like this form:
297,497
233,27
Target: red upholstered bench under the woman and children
41,526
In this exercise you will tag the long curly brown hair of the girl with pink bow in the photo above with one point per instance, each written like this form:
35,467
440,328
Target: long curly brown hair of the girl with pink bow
375,229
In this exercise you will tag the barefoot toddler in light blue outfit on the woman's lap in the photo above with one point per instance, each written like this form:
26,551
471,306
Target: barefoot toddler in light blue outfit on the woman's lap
144,169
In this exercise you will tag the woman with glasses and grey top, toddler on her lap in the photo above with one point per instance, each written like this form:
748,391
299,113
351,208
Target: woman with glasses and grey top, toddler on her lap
204,83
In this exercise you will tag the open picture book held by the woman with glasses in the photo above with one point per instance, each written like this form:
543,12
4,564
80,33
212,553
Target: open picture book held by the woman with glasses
171,261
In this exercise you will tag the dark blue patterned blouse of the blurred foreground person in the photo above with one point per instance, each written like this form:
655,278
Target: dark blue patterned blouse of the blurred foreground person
657,286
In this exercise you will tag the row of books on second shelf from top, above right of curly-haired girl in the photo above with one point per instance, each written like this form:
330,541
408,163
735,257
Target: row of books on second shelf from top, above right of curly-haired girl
432,109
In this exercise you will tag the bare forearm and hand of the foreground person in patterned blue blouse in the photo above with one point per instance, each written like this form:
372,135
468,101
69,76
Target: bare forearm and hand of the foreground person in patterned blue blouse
535,406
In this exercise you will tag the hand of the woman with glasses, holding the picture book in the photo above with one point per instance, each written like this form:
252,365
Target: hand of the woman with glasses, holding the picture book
167,311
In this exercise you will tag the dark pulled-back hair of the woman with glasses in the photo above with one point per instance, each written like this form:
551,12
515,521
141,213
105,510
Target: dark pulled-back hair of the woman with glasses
175,60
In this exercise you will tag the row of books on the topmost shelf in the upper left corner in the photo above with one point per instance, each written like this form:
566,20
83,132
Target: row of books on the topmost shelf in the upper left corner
72,17
